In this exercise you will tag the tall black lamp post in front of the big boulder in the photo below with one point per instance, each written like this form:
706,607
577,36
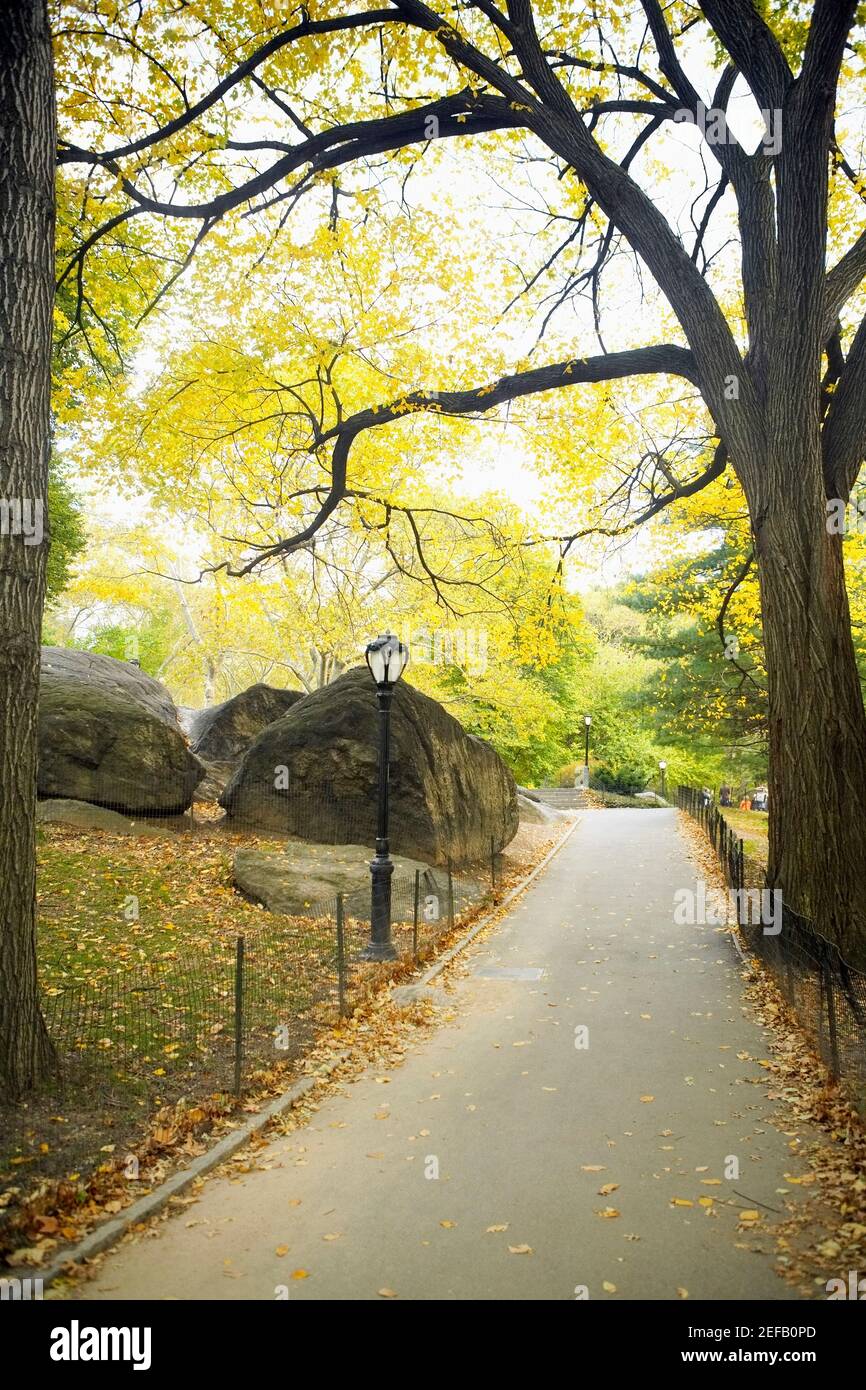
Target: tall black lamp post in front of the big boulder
387,658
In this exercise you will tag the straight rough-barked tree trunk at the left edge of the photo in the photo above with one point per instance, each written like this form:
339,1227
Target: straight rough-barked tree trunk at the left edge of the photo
27,280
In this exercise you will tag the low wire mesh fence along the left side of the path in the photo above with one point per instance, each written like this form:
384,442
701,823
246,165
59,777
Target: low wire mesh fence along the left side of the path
226,1004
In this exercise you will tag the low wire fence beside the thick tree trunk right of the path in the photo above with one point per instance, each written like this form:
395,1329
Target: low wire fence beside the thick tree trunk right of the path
826,993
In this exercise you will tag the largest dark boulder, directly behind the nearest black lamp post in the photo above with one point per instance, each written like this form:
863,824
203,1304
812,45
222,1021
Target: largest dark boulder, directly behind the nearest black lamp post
313,774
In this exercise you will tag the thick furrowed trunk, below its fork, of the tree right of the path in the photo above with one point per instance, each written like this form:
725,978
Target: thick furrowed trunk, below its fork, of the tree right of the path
818,725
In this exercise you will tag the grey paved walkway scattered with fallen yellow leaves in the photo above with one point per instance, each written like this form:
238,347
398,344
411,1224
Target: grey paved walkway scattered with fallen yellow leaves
525,1127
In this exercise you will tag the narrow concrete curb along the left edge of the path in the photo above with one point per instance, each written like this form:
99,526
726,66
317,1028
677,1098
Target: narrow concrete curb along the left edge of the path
109,1234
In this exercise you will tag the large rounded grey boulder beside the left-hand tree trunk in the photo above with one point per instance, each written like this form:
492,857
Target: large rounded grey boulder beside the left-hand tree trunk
109,735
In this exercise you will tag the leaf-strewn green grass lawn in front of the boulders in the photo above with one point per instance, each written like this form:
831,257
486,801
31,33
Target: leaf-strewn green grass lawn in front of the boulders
137,951
